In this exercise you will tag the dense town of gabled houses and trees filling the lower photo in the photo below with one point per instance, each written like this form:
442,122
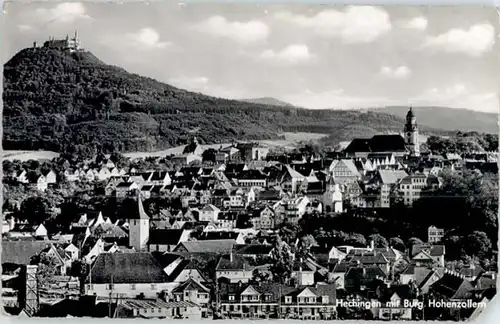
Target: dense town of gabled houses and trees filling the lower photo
382,228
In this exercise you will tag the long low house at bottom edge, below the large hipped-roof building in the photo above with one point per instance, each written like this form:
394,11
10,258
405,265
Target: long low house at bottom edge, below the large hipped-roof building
159,309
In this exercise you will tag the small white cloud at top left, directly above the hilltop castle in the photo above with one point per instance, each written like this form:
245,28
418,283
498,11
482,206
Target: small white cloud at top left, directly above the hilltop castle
66,12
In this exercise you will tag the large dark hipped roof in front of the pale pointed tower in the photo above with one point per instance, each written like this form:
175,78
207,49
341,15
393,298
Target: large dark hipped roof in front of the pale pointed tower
126,268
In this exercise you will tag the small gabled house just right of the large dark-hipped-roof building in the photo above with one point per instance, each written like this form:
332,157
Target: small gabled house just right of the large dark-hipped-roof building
194,292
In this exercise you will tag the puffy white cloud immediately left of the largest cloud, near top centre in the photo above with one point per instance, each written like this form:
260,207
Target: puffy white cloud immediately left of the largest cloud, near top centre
243,32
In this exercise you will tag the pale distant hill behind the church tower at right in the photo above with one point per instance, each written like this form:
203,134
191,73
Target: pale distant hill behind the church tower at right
449,118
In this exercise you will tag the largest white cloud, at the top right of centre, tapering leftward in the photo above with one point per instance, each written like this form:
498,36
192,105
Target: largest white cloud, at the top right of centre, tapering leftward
354,25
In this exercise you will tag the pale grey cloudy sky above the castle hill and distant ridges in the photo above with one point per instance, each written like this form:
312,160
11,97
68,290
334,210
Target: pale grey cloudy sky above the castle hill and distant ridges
313,56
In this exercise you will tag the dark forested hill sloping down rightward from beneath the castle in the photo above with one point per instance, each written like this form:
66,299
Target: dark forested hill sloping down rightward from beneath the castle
54,99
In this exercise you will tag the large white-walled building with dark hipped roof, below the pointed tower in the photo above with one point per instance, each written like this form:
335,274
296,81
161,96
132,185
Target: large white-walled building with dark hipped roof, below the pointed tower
126,275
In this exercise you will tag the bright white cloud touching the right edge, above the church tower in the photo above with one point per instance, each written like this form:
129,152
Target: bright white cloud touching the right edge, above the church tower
475,41
